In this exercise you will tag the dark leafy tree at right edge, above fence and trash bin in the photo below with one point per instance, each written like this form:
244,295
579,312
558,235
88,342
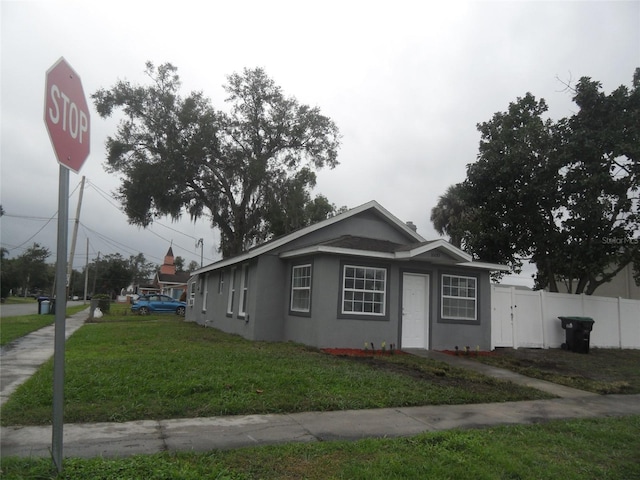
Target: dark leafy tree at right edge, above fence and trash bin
601,184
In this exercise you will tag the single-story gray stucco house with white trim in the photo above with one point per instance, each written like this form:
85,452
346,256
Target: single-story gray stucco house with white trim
361,276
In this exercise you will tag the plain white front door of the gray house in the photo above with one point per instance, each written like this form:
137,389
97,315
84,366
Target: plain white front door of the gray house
415,311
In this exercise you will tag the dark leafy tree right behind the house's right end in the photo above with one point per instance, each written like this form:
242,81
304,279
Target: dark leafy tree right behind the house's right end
513,189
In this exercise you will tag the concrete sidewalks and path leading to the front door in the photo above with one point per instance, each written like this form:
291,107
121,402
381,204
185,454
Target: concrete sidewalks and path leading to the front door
203,434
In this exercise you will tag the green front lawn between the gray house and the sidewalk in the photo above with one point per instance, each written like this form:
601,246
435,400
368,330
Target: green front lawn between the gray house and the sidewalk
162,367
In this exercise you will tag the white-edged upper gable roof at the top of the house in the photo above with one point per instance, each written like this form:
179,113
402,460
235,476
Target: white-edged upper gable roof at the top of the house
279,242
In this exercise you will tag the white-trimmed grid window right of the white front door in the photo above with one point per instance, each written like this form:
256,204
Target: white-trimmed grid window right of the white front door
459,297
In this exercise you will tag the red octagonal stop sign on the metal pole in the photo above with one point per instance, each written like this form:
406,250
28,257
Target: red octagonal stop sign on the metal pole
66,115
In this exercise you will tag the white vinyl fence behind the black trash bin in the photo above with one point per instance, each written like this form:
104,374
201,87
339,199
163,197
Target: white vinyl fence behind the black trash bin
527,319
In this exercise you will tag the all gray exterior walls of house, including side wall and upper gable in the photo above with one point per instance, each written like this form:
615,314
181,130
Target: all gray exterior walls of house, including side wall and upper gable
269,316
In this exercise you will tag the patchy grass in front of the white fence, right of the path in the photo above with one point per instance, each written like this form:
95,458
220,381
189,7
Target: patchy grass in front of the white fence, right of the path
603,371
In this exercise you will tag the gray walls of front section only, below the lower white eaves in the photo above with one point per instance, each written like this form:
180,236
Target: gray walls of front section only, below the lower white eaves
324,326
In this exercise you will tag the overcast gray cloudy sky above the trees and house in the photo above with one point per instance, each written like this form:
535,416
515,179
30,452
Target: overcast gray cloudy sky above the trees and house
405,81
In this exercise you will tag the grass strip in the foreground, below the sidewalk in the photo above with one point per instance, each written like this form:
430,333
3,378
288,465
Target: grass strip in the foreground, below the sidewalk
578,449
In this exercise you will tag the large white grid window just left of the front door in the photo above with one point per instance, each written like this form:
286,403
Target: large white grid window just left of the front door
364,290
